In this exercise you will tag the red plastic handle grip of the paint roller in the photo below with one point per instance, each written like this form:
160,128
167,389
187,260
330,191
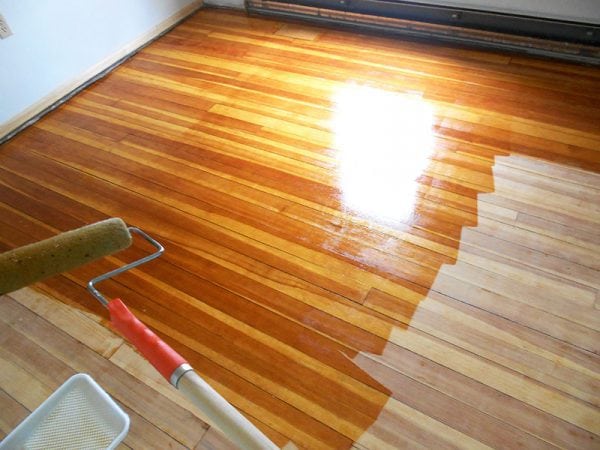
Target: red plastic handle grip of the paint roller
154,349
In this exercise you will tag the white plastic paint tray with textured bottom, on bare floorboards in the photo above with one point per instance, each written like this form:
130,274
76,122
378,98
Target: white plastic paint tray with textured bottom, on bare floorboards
78,415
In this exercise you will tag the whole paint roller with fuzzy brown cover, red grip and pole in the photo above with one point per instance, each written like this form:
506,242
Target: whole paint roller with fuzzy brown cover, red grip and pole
34,262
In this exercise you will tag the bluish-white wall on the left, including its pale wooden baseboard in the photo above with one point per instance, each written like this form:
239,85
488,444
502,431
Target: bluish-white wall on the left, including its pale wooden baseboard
59,44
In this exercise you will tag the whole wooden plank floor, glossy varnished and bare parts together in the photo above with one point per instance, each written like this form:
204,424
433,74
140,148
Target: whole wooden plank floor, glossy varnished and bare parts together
369,242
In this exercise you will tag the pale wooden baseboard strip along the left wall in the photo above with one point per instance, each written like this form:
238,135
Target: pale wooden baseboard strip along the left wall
67,90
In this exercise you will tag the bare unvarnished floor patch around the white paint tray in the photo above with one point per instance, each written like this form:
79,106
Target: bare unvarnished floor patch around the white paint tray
44,342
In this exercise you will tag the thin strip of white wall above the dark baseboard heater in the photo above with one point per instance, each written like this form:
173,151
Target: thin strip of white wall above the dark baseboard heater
587,11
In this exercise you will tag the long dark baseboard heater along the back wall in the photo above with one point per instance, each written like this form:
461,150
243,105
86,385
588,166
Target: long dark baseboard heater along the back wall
362,15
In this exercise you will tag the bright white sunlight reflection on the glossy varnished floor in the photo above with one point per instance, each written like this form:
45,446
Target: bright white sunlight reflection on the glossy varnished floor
384,141
